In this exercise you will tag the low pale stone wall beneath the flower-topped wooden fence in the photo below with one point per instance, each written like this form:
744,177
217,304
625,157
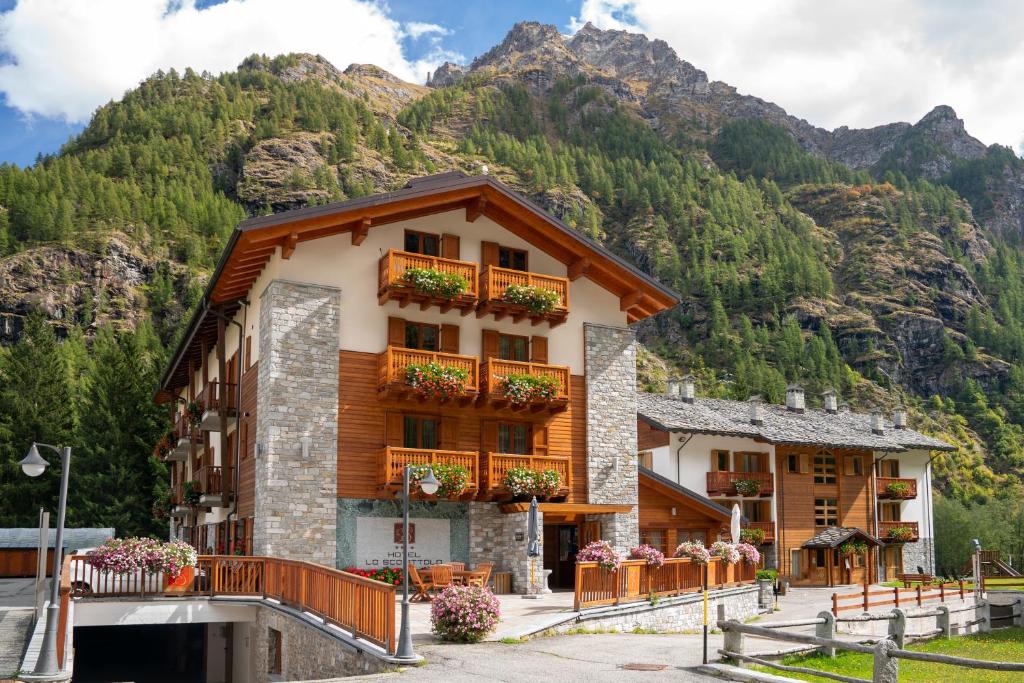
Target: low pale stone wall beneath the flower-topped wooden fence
685,614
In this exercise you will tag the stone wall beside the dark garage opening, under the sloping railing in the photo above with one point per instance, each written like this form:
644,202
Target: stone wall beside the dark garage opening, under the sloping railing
307,653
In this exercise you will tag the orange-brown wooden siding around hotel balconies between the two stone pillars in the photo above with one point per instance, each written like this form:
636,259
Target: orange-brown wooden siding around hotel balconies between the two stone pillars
362,418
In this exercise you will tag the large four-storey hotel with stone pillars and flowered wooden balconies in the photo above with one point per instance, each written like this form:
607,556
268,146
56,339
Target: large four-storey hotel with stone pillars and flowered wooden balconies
294,411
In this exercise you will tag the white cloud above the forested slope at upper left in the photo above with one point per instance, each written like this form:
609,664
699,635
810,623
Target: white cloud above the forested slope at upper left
66,58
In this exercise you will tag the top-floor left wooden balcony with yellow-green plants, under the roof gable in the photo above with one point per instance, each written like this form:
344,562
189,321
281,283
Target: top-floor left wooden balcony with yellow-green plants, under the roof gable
392,284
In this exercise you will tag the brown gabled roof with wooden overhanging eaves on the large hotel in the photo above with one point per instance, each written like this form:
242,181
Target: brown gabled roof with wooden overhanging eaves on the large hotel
255,240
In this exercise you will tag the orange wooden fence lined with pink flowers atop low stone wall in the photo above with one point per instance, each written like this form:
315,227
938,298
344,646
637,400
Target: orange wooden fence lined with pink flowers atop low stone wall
636,581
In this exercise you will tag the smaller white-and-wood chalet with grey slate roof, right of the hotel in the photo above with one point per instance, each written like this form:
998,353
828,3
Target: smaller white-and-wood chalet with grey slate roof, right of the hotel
814,482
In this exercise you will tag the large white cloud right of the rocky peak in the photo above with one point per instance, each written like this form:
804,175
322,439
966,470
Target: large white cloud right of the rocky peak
849,62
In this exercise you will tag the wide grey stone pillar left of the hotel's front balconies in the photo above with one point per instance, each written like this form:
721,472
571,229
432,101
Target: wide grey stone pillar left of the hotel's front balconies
297,411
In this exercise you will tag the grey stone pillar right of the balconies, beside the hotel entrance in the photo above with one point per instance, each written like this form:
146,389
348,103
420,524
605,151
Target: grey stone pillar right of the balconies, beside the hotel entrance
612,428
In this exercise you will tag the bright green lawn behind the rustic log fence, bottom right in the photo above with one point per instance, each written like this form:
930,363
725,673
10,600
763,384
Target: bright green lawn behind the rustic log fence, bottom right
1002,646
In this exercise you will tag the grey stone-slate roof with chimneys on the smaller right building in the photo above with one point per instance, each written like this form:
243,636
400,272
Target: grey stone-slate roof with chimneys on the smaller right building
781,426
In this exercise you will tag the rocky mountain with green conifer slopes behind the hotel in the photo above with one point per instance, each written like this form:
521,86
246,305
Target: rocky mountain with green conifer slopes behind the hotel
883,263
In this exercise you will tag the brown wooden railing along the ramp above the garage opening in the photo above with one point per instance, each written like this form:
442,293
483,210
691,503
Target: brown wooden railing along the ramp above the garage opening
362,607
